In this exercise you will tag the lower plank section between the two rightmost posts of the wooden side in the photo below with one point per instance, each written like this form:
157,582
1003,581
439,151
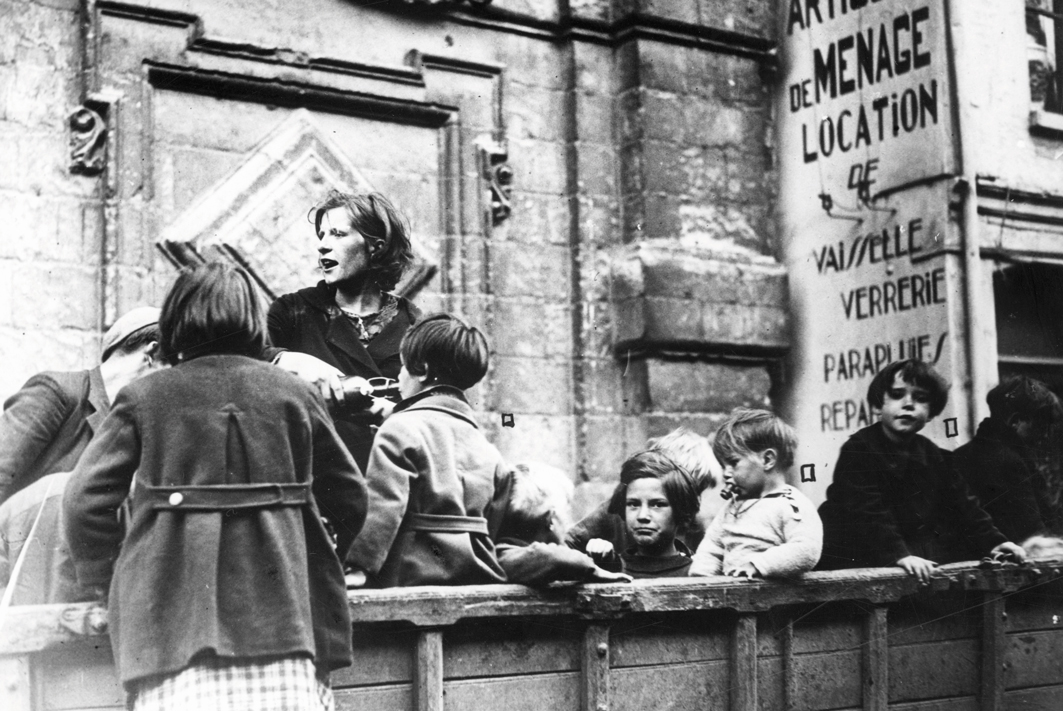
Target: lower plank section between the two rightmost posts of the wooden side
937,670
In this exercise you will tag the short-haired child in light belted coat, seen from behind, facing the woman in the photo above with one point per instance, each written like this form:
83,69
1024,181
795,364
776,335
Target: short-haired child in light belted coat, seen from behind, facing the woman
432,473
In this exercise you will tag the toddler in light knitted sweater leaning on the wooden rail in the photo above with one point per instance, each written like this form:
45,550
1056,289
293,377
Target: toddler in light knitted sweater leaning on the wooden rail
769,529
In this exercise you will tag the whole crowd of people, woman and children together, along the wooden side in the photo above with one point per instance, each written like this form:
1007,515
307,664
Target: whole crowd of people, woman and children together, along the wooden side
221,485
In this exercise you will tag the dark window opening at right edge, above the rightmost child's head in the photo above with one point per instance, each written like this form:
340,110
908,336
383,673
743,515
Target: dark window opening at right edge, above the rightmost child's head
1030,320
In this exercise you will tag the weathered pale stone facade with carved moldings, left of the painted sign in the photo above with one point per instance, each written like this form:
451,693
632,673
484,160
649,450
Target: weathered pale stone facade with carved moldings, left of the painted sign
594,183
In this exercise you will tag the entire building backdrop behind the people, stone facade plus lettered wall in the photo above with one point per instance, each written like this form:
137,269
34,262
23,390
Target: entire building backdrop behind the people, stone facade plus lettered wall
656,211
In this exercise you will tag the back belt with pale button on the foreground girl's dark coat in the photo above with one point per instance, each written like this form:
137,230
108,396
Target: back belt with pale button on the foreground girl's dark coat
224,497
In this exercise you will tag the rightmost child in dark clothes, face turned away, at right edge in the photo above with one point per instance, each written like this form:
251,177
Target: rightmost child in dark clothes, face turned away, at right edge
999,463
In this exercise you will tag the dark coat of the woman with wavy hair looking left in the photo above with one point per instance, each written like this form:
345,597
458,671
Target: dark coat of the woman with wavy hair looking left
305,323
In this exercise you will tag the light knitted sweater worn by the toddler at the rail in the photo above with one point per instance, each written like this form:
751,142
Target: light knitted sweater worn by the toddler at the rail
780,534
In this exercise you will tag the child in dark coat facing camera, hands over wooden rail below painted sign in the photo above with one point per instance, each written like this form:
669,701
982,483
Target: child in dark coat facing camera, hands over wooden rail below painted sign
896,499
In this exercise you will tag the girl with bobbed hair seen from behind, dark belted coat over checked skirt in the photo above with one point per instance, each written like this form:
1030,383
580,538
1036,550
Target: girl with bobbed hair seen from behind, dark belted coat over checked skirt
226,583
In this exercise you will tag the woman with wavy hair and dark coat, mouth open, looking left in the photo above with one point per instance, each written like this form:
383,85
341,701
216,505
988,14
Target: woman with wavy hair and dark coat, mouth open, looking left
351,320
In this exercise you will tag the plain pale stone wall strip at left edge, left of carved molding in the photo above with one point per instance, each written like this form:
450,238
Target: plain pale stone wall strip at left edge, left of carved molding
49,252
